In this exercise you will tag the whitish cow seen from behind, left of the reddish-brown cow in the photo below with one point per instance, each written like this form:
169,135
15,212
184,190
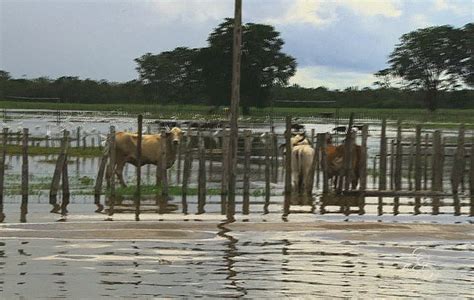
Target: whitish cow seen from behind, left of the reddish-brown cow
302,173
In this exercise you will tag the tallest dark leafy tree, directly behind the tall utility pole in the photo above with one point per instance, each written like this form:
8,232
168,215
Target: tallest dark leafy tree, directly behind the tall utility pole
263,64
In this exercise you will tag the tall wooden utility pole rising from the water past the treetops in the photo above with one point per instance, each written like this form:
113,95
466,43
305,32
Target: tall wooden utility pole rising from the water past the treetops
234,109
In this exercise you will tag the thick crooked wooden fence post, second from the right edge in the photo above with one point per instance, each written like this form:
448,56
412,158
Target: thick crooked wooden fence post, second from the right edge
458,170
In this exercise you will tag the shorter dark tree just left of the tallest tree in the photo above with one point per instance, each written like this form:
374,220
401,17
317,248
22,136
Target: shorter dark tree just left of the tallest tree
171,76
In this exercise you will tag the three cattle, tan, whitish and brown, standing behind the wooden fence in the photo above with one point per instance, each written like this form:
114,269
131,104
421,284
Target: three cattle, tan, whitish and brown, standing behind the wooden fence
302,156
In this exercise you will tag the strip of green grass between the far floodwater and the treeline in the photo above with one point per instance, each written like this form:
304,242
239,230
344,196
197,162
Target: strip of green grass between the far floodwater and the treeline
187,111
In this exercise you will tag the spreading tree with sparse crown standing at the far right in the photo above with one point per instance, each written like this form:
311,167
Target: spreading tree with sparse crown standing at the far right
430,59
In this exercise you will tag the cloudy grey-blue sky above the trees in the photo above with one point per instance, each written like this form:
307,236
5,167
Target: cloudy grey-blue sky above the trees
337,43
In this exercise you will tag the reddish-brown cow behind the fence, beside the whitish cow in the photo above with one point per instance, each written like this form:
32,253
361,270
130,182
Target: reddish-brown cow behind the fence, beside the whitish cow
335,159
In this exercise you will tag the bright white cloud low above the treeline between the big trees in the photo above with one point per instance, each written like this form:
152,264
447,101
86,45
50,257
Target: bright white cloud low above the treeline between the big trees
312,77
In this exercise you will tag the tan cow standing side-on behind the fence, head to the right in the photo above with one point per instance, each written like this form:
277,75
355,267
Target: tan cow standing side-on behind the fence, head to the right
126,150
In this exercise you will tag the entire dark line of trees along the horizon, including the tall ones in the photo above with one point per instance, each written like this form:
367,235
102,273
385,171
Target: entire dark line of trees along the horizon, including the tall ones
430,67
